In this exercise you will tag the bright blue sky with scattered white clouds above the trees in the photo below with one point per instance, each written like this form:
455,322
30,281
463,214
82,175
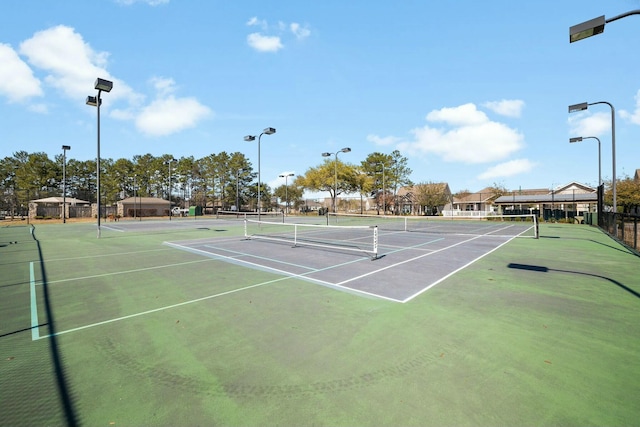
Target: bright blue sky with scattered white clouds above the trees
472,93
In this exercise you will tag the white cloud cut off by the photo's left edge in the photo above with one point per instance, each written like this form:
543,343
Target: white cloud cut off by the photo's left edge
17,81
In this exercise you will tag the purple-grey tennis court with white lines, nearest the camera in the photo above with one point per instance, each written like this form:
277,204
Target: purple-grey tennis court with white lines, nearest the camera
381,259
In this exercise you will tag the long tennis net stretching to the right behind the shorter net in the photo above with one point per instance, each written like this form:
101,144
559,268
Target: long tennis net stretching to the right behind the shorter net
489,225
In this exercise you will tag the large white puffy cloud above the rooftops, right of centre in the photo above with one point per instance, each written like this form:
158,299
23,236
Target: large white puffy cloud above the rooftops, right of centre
468,136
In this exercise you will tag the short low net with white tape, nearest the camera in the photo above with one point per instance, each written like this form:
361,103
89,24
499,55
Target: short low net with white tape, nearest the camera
358,238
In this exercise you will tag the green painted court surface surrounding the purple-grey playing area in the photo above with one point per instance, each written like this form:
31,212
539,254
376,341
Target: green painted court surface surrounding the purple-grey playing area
127,330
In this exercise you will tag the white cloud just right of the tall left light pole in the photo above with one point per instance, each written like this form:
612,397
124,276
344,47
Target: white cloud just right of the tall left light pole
170,115
